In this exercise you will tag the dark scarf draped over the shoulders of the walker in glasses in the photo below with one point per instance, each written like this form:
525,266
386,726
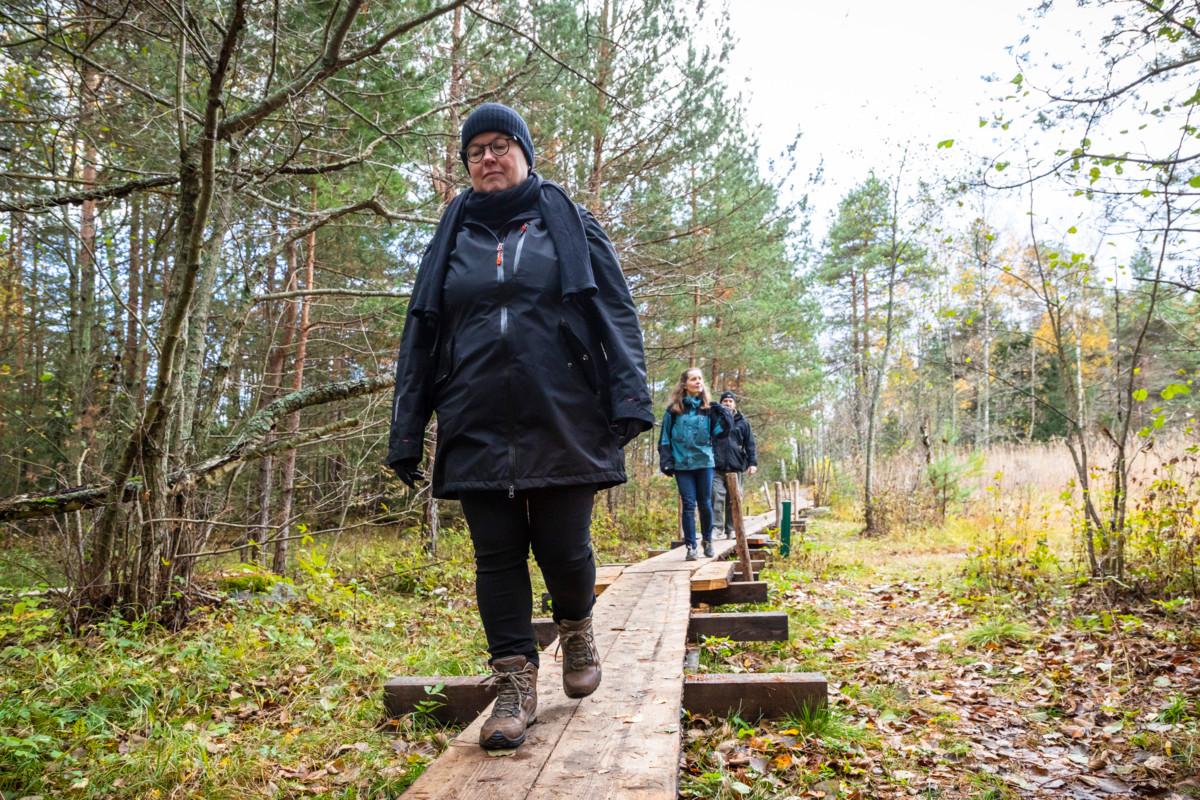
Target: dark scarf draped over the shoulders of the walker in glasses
559,213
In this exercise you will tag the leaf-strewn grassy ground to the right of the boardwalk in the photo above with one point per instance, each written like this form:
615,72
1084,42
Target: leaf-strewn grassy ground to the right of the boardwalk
945,687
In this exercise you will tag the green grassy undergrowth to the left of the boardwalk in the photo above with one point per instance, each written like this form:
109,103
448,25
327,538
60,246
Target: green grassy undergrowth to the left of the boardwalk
271,694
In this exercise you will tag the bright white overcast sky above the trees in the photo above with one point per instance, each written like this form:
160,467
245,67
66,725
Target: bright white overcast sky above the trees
862,81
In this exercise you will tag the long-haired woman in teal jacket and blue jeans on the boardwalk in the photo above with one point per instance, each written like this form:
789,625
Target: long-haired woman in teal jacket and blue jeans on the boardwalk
691,426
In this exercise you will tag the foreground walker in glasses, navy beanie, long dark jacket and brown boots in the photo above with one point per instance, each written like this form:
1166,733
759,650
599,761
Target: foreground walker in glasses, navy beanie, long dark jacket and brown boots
524,339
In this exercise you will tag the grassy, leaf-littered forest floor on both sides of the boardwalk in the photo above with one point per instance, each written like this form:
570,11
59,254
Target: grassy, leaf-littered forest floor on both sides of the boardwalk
944,684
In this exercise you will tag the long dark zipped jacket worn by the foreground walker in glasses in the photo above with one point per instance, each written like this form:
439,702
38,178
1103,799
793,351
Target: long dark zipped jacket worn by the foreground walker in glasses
527,384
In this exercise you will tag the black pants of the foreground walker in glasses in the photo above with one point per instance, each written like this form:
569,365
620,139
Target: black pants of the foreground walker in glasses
556,525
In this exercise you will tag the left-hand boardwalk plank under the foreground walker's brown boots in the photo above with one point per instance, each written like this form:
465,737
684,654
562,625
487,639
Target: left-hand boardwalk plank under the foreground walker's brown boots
465,772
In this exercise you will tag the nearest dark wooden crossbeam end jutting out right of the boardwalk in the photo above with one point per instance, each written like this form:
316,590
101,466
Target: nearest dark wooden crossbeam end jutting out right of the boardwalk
753,696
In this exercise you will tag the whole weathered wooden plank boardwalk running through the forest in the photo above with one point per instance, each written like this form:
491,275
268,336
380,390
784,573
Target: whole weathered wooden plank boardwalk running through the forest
622,742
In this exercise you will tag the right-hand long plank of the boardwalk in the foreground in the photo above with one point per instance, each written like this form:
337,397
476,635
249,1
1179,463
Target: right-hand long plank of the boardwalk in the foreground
623,742
